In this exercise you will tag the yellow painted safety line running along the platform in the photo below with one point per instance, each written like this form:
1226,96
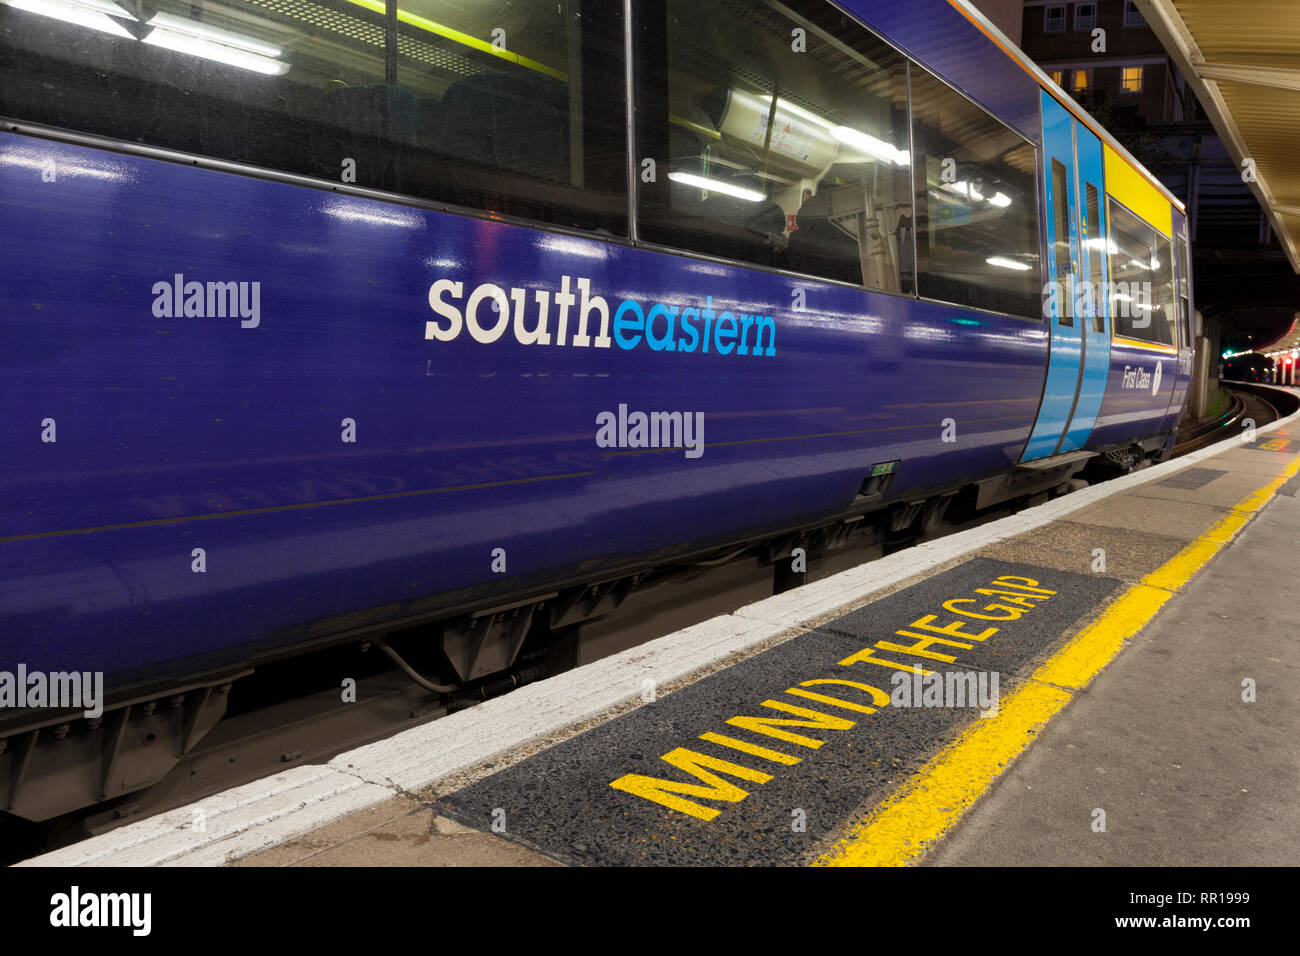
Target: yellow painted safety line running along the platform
900,829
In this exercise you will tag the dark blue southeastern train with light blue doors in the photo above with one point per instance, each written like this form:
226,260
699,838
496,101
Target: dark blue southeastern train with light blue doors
326,321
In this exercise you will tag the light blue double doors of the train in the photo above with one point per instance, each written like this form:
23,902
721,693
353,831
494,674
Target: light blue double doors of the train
1078,309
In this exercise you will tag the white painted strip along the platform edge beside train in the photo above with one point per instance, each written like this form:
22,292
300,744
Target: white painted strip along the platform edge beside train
268,812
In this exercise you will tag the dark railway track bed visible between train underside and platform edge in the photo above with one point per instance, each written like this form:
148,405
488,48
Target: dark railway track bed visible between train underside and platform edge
262,736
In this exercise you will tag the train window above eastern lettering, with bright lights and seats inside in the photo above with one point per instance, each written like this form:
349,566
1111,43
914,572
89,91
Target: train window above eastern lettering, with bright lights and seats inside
778,136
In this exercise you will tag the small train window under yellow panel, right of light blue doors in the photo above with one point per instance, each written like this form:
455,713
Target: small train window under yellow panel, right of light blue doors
1142,274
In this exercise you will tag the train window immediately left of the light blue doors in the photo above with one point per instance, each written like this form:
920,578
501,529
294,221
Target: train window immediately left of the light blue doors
977,205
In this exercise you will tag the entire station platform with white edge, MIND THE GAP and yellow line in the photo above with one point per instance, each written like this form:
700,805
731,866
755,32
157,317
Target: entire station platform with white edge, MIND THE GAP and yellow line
1138,637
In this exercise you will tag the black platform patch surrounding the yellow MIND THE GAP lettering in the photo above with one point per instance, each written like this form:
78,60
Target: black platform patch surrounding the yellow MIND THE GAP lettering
561,802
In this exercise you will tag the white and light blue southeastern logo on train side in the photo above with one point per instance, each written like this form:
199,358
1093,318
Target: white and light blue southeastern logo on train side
489,310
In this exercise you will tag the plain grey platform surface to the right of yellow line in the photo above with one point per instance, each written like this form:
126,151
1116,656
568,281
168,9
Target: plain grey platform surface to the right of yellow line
1188,743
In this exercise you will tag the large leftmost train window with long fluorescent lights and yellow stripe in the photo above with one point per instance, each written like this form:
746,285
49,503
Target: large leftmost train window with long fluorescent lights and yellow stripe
510,106
